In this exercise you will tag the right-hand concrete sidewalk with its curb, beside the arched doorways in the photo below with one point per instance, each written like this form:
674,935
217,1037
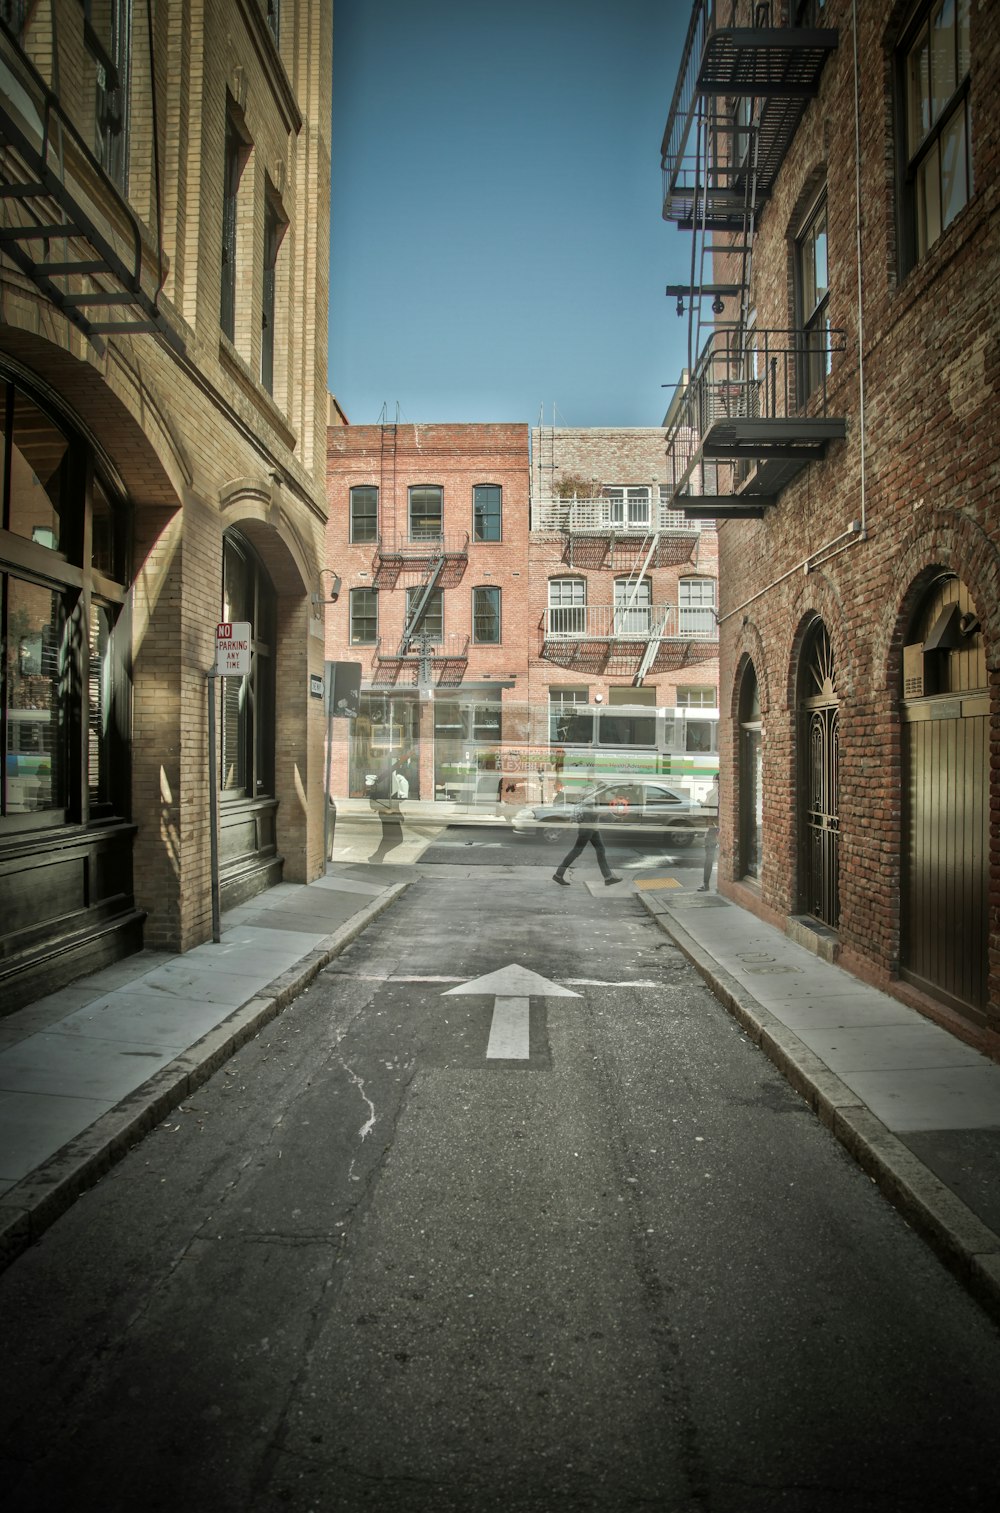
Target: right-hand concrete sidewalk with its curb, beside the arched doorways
918,1108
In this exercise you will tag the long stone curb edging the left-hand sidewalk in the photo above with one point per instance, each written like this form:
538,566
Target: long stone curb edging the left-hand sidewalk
48,1191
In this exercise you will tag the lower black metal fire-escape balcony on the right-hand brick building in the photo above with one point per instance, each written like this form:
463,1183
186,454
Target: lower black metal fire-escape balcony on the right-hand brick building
745,426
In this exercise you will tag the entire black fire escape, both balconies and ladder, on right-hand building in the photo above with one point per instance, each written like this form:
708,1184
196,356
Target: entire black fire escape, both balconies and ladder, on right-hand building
751,412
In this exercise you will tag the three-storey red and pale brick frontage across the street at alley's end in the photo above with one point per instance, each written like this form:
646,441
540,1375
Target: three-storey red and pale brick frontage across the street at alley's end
488,585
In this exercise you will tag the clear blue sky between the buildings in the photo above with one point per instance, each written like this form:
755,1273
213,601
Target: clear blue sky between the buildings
497,235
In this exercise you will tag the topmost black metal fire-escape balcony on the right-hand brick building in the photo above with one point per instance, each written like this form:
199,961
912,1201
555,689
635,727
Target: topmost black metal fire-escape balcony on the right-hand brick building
734,51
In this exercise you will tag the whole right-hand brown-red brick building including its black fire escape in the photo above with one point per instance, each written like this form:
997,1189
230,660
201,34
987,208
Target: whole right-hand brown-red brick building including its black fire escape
840,424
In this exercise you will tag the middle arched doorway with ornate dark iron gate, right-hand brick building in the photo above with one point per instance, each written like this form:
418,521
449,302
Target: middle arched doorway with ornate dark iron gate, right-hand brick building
819,757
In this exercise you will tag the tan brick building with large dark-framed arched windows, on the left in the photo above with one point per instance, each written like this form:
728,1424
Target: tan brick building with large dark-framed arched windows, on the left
163,364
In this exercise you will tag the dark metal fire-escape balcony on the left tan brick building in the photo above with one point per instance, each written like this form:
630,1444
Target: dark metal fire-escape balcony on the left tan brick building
64,223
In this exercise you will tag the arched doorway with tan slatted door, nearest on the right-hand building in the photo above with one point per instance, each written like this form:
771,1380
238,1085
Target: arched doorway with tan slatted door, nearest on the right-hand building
946,801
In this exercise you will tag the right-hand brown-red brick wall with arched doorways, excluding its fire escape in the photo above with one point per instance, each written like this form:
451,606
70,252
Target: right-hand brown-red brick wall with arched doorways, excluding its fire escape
860,615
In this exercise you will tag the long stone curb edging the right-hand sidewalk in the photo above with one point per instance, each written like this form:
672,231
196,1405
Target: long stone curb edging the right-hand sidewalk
960,1238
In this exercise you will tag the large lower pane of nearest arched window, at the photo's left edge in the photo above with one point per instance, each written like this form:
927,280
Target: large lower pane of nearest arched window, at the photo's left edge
36,715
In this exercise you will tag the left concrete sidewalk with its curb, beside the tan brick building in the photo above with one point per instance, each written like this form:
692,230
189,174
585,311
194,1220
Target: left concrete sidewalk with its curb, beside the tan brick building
89,1070
